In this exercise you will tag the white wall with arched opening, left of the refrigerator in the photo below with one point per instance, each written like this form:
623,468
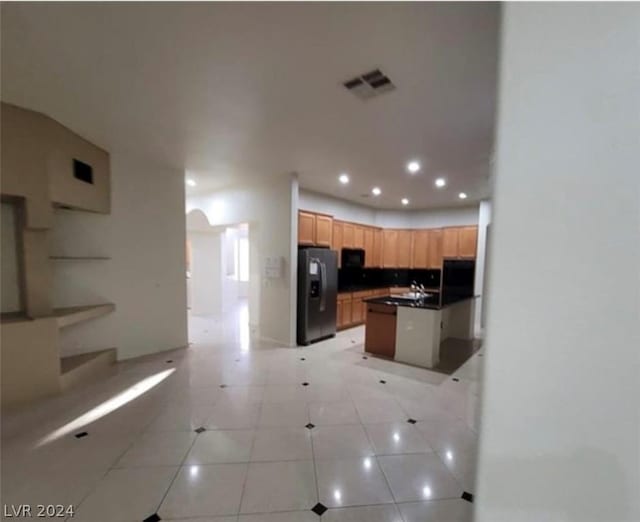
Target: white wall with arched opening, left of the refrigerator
270,210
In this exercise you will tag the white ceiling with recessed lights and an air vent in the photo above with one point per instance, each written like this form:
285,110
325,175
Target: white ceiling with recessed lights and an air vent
234,91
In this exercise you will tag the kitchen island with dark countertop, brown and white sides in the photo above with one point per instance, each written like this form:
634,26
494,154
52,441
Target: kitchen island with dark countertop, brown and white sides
411,330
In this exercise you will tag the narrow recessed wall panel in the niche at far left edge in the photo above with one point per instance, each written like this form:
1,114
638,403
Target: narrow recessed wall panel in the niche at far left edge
10,290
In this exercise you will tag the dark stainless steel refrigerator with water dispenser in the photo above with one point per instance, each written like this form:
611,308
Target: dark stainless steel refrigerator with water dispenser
317,294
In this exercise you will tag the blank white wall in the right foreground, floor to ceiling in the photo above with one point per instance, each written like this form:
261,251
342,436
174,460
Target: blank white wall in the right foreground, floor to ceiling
560,429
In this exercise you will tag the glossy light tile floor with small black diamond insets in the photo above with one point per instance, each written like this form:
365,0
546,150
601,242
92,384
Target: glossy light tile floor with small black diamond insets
272,447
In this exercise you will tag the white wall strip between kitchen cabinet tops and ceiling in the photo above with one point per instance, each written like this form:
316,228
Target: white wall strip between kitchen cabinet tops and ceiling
347,211
